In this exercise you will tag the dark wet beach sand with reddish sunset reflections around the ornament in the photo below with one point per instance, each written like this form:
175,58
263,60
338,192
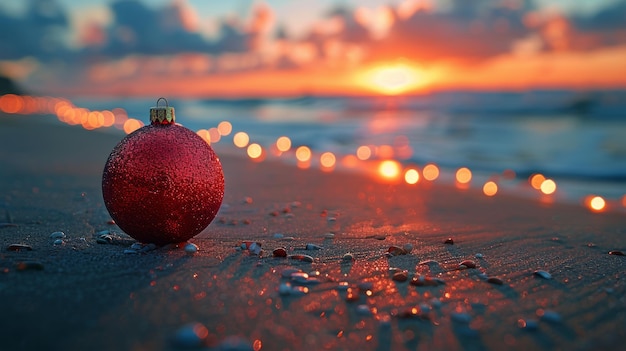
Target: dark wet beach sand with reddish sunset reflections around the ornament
94,296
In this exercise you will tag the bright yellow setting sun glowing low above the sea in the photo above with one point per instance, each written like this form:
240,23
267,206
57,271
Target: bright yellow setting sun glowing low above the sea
394,79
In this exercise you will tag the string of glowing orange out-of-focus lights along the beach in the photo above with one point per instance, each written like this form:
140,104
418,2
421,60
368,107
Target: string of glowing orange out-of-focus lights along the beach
377,159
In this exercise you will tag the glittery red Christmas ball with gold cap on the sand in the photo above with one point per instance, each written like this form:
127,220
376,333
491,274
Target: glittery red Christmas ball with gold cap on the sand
162,183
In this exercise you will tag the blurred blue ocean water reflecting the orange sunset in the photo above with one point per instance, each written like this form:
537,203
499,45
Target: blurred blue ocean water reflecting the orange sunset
576,138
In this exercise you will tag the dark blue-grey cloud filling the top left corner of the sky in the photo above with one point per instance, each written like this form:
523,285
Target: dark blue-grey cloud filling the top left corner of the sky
37,33
